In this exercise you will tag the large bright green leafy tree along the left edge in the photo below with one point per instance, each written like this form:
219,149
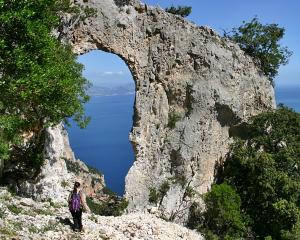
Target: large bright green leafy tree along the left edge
41,83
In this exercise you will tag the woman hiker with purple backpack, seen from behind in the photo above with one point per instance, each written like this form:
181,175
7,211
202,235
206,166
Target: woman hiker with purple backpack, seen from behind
77,202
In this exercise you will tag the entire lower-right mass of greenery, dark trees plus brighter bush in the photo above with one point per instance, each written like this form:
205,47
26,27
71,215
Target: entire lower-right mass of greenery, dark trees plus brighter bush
259,191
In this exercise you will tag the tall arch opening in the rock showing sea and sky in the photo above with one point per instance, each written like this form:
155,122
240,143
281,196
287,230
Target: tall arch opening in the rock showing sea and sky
104,144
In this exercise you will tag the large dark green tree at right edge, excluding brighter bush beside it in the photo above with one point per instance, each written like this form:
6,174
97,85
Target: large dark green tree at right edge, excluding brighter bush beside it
264,169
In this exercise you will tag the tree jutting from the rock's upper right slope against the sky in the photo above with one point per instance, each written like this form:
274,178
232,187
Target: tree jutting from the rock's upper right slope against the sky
262,42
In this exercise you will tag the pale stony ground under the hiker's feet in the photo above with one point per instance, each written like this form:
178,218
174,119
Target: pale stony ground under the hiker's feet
24,218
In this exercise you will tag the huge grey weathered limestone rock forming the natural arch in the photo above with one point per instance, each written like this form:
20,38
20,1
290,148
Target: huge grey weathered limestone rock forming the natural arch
192,88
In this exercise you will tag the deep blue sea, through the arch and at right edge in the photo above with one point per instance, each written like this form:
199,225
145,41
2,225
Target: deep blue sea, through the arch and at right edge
105,145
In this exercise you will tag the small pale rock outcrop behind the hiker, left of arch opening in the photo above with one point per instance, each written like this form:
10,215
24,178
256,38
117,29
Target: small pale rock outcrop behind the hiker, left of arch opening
60,171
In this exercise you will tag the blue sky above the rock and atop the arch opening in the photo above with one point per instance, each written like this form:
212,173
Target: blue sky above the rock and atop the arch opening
105,69
